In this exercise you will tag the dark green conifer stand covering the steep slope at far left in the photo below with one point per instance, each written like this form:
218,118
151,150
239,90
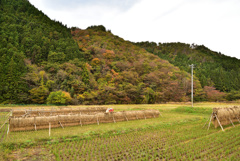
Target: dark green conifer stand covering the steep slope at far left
26,33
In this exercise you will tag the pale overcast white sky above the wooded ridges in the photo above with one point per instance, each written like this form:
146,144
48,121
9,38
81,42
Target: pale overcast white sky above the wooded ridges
212,23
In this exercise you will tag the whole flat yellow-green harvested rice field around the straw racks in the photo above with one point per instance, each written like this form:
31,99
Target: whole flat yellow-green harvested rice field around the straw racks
176,134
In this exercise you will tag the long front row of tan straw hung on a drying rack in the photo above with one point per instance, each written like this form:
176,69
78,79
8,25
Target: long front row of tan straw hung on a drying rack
42,122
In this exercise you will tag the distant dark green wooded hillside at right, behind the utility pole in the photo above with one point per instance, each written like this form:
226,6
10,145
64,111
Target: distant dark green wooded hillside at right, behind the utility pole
213,69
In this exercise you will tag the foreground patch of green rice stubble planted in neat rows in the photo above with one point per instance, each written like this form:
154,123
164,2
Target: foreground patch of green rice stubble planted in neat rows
187,143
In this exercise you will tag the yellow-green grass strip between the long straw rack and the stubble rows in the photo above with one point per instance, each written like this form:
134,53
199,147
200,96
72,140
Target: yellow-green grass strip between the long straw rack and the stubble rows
102,129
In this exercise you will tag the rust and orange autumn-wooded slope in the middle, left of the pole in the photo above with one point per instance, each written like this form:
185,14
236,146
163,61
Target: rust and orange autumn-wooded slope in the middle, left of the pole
127,72
